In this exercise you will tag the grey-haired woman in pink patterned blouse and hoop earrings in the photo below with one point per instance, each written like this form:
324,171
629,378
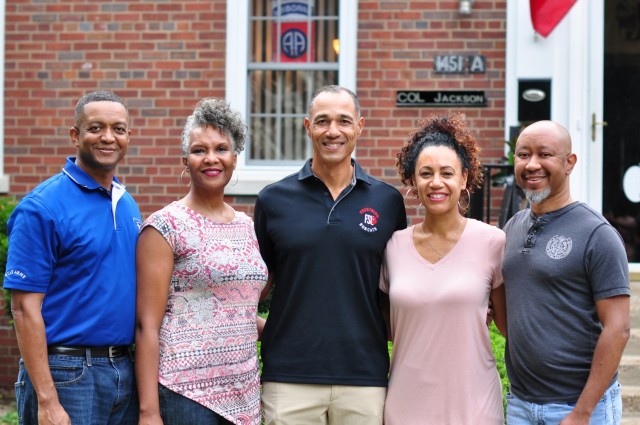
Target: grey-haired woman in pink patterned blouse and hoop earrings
200,275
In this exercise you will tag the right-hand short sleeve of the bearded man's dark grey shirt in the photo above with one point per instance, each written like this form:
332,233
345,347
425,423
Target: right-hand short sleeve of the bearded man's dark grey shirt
606,263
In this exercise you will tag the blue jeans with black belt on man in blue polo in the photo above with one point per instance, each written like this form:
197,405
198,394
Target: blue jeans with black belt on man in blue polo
92,390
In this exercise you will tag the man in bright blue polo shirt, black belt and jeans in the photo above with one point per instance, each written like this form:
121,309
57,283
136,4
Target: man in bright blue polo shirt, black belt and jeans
71,272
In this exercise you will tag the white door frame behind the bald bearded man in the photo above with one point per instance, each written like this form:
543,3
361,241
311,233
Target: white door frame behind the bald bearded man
572,56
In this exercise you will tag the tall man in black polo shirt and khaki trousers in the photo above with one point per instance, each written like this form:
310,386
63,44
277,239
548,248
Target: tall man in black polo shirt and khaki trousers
322,233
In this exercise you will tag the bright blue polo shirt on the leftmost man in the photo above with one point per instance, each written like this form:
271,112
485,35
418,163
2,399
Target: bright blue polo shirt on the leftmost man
74,241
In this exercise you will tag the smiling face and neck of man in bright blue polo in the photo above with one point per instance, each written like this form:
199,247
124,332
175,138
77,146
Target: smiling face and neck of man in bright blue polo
101,137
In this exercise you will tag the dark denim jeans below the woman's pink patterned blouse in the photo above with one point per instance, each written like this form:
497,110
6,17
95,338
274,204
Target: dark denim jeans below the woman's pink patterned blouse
176,409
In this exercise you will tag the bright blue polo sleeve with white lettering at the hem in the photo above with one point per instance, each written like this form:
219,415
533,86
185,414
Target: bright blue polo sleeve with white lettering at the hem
34,244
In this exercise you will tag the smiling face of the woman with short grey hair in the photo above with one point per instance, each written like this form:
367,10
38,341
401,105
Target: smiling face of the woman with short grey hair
210,159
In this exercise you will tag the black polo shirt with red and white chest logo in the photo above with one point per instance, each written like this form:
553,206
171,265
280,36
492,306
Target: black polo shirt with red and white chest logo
324,325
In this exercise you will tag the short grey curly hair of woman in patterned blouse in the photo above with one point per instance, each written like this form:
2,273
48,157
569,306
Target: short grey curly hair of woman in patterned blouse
216,113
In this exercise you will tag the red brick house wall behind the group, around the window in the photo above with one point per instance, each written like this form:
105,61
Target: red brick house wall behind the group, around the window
162,57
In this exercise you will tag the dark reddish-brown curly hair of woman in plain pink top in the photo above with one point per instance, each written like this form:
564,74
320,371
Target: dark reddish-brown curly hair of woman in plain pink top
442,130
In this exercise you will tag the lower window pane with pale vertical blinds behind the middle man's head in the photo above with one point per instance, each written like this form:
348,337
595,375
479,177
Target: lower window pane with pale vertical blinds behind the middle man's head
279,102
